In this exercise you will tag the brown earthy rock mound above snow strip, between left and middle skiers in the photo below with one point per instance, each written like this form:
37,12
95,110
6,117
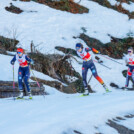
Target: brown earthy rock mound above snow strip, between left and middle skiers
54,65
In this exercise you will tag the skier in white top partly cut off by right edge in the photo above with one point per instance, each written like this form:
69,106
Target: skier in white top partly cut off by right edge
129,59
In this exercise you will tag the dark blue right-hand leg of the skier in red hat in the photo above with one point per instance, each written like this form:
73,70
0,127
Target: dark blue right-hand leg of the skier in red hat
26,78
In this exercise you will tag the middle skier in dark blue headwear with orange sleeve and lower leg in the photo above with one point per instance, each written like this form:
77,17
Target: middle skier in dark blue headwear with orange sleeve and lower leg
88,64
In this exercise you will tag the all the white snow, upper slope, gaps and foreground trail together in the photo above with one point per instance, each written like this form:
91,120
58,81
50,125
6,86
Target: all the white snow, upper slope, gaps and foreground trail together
60,113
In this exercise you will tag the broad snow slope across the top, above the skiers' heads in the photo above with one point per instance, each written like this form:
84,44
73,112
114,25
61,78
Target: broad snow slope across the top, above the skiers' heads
56,28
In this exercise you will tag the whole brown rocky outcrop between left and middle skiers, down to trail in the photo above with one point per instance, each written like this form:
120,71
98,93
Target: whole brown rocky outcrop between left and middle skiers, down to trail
58,67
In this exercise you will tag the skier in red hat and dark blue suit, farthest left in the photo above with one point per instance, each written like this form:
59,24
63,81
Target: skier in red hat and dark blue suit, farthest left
23,71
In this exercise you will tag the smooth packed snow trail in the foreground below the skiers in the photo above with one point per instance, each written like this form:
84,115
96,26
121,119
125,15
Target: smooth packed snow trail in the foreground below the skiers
60,113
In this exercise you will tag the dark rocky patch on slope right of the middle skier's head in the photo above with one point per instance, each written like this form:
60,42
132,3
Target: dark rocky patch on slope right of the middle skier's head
114,49
